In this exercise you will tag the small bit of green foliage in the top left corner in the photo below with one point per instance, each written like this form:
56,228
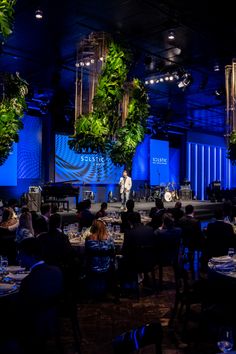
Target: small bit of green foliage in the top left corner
6,17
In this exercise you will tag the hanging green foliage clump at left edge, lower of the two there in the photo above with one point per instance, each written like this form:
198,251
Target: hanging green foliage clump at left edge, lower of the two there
11,110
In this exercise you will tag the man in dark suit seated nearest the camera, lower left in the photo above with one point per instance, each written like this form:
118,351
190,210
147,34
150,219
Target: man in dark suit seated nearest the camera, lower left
38,299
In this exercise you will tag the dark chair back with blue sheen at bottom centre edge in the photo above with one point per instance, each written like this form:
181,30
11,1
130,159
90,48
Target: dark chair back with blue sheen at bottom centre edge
138,338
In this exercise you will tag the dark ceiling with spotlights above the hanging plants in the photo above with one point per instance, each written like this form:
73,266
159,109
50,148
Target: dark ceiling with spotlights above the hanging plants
44,52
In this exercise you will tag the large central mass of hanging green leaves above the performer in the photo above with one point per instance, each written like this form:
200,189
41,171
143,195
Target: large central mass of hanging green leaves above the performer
108,128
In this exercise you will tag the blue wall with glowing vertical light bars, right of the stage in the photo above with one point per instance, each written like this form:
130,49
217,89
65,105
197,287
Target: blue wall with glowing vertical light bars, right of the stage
207,162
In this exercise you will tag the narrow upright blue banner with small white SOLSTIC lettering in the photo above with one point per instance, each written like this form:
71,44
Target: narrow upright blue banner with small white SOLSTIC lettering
159,162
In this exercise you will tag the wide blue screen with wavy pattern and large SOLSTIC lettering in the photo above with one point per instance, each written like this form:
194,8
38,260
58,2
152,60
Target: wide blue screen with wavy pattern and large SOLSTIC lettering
83,168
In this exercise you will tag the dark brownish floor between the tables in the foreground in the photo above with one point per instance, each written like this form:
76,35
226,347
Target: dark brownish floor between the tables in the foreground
101,322
